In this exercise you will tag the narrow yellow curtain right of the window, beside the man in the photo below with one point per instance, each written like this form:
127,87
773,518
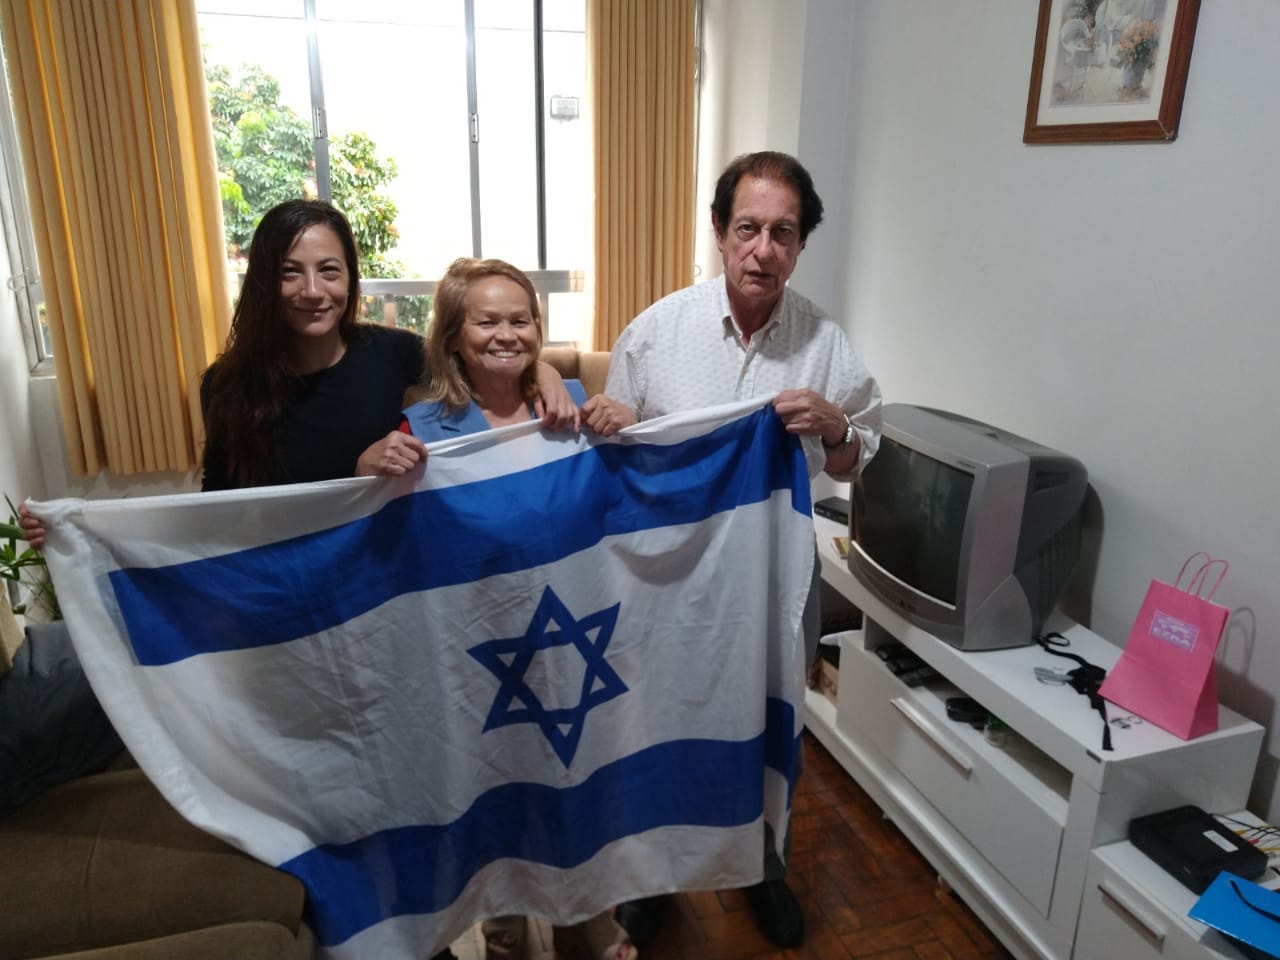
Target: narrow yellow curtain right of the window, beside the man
642,70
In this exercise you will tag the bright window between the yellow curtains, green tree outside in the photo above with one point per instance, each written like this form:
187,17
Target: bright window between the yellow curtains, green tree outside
429,126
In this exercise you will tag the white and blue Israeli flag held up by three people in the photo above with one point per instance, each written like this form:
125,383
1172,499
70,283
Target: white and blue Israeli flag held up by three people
545,675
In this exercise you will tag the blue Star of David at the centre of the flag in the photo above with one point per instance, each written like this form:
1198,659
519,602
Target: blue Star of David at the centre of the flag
510,660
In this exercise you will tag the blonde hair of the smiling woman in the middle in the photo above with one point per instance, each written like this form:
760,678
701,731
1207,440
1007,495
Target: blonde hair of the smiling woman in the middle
446,376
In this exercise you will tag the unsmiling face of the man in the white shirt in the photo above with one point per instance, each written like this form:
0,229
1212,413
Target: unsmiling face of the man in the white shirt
760,246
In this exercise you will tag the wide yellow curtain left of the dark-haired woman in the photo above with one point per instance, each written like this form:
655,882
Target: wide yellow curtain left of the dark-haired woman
118,157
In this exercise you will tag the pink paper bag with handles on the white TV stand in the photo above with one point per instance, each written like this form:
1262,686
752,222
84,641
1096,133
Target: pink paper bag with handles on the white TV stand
1167,674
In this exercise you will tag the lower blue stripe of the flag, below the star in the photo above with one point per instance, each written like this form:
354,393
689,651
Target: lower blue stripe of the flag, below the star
423,870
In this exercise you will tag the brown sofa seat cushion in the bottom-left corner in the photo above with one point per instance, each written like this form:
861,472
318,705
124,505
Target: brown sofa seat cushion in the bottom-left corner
104,861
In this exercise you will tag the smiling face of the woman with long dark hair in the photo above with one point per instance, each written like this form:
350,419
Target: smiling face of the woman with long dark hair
314,286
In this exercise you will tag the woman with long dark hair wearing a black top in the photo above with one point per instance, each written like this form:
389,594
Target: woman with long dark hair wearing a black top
304,391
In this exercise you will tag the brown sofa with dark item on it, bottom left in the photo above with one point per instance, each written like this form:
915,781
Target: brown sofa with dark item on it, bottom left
94,862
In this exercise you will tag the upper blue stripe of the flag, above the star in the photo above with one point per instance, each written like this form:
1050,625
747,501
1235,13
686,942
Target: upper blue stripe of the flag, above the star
300,587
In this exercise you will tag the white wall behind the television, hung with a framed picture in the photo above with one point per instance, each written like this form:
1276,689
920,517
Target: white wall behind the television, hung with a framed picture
1112,301
